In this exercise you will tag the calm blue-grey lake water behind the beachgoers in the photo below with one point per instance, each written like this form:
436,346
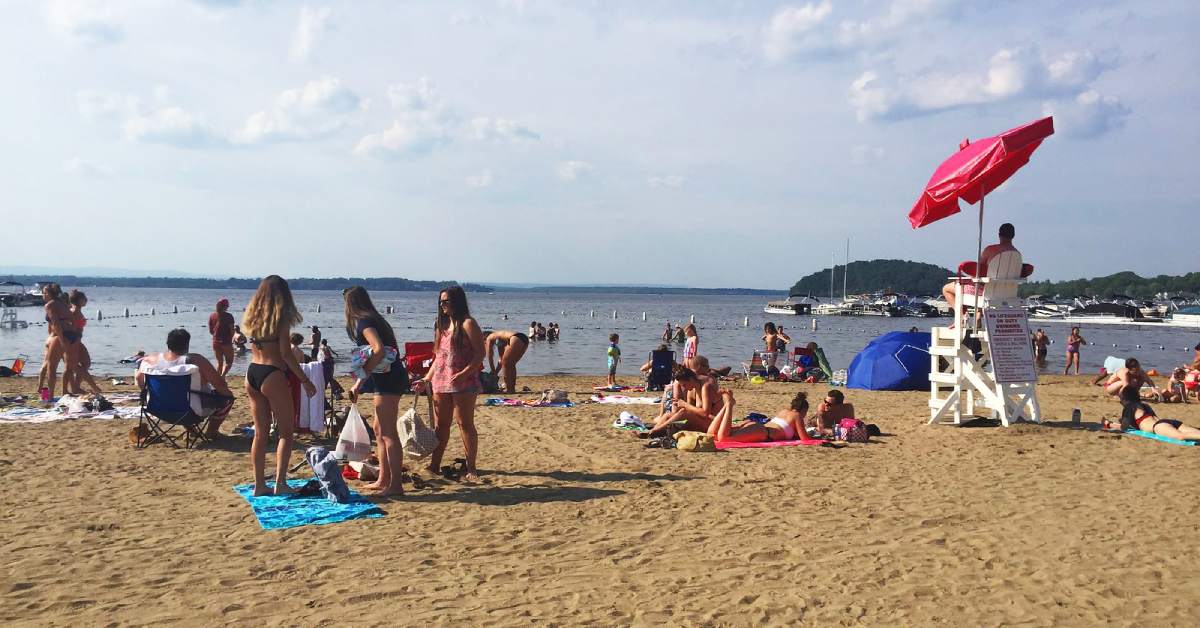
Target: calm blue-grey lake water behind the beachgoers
724,339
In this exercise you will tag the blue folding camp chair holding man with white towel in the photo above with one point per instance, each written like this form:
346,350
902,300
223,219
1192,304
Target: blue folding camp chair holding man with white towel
167,412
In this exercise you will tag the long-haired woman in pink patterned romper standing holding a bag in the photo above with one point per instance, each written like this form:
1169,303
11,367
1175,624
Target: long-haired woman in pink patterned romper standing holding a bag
454,376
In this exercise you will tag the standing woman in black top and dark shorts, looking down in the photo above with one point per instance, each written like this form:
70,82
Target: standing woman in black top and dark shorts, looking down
365,326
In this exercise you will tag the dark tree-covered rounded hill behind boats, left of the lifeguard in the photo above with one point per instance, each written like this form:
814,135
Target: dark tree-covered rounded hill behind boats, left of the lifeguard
899,276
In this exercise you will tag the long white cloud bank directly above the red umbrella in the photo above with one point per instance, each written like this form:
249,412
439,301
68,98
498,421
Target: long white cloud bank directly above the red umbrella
1011,75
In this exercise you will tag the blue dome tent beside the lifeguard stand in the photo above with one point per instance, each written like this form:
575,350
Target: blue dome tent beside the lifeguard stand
898,361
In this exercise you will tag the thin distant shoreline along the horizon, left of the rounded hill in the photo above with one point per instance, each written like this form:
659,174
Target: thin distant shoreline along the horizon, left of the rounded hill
375,284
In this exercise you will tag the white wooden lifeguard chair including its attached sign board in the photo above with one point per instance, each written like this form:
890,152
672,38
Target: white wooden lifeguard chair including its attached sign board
959,382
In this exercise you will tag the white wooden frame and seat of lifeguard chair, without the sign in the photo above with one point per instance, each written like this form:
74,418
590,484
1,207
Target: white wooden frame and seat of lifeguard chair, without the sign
959,382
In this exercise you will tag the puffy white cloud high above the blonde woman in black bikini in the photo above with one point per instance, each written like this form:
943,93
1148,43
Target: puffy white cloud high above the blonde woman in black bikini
319,109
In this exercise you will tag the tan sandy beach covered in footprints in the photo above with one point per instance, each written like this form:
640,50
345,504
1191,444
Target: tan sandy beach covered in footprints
579,524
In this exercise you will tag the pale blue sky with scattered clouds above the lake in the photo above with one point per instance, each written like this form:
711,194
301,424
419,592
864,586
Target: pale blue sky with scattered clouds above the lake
707,145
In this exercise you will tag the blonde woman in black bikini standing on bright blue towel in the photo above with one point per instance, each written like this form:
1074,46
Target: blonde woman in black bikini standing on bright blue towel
274,378
